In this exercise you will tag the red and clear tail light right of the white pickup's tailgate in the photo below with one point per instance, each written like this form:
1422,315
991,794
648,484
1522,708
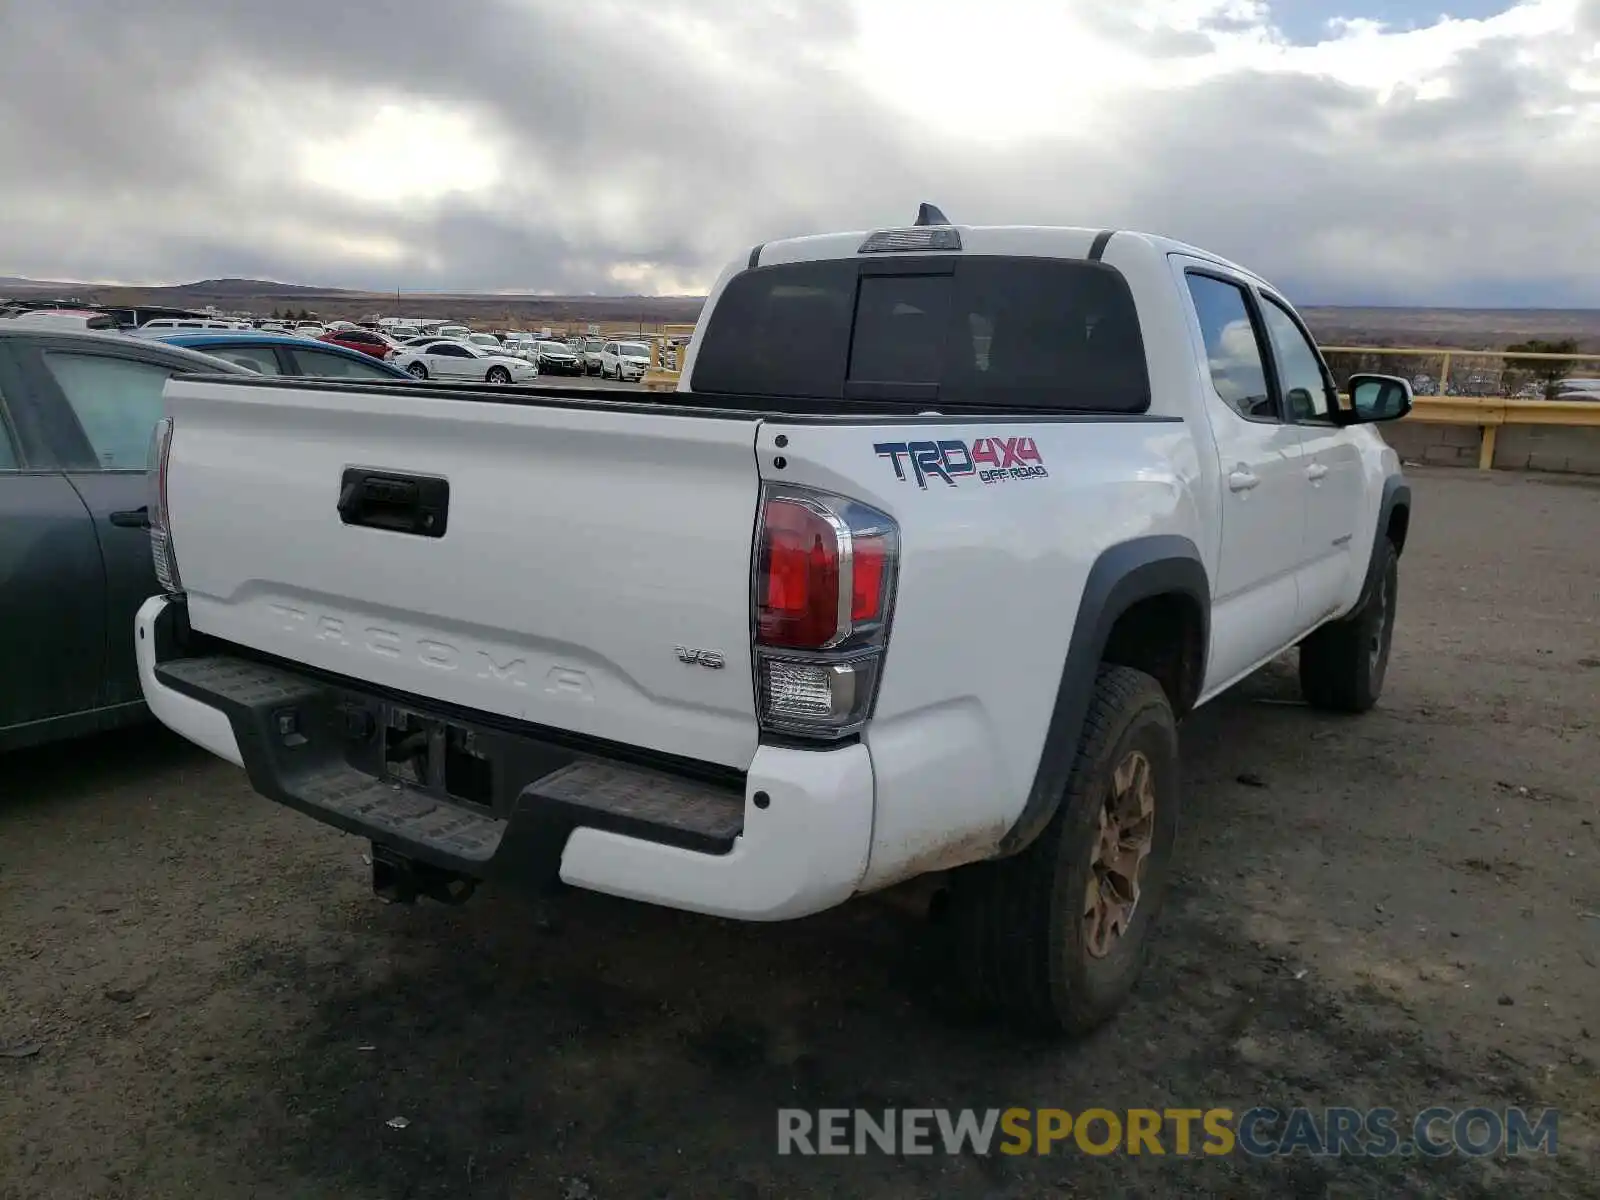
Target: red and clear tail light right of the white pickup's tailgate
823,599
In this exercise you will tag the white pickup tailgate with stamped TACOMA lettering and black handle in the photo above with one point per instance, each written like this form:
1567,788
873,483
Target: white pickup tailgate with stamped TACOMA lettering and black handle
593,572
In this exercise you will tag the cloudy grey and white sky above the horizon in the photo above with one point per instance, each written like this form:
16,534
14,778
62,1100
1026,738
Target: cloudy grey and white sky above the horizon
1354,151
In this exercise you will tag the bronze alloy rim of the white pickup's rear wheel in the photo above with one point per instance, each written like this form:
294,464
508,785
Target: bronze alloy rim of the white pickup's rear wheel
1127,831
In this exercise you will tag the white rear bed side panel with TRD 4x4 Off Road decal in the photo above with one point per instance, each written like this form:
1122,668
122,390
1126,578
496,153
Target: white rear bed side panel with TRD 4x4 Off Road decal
988,596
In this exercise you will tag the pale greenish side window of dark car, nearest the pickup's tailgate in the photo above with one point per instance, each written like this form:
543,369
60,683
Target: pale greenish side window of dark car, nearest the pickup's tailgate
116,401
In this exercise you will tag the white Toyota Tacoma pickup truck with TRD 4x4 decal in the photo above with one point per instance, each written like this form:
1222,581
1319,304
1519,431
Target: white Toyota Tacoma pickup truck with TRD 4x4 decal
943,534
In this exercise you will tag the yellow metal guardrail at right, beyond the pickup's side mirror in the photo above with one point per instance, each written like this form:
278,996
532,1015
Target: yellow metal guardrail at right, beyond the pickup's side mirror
1487,412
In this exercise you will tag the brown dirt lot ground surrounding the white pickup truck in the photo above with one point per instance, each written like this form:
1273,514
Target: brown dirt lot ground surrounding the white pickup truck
1399,910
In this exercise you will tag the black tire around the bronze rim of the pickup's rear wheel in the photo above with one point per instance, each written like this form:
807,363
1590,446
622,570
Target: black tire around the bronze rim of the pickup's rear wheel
1018,922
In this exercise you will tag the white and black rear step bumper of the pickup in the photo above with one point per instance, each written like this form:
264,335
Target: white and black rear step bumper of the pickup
791,841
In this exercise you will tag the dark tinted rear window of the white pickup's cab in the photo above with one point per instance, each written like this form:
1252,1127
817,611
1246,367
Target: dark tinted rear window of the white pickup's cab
993,332
